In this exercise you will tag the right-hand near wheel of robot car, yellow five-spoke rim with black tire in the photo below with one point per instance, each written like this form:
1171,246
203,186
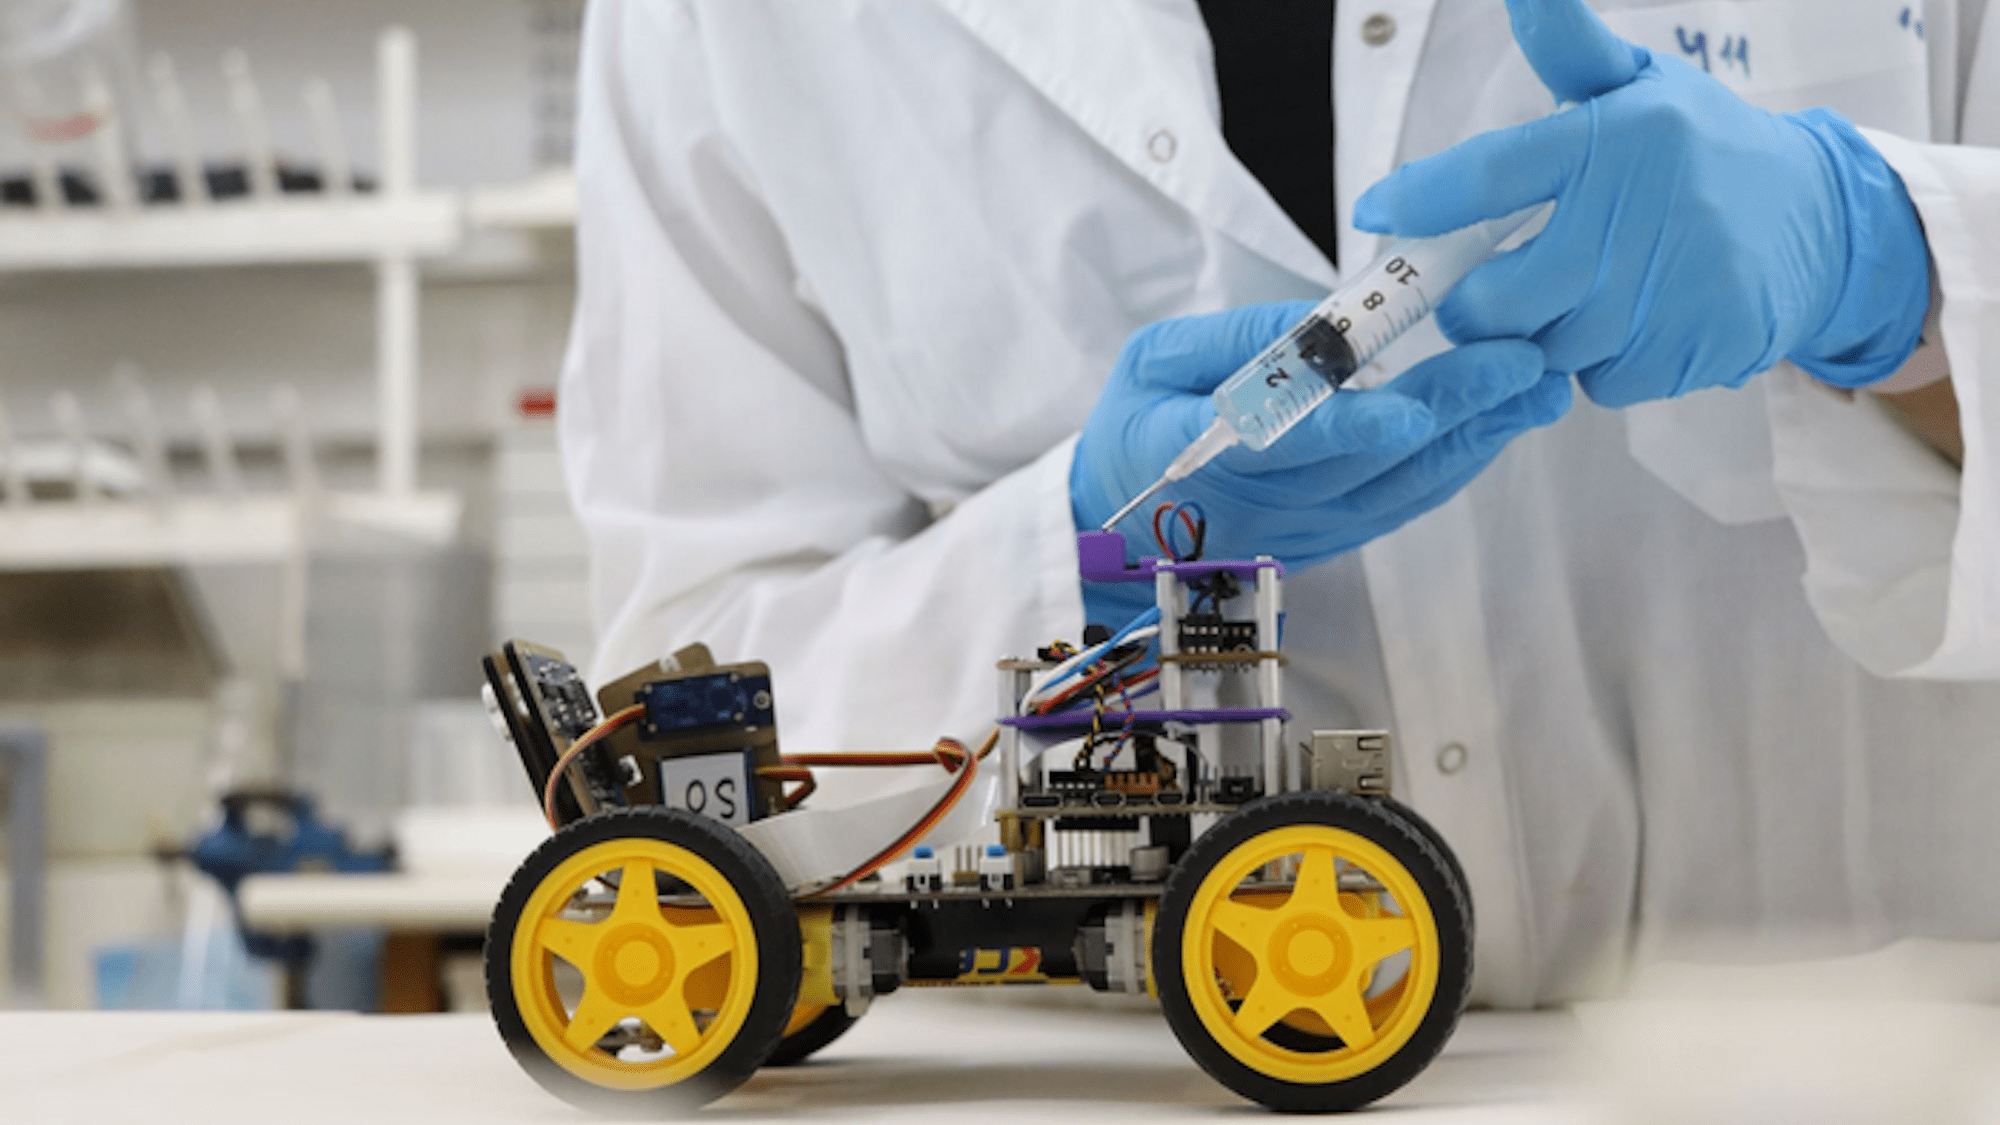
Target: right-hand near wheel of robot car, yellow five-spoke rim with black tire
1315,952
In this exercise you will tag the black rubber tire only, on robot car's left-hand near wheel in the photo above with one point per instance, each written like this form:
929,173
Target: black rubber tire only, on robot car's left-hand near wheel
777,944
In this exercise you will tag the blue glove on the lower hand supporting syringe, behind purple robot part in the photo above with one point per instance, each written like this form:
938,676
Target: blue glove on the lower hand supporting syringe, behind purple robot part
1359,467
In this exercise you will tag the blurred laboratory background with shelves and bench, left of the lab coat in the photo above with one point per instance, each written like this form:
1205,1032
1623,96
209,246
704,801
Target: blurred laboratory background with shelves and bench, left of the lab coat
283,297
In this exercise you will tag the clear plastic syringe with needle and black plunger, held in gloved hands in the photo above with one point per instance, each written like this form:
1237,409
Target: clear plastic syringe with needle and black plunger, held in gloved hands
1327,351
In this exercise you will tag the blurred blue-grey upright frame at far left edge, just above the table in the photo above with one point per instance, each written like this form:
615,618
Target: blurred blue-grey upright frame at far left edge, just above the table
25,776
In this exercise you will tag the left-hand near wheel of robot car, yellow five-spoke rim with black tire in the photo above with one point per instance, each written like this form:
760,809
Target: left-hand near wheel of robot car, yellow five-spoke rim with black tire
643,956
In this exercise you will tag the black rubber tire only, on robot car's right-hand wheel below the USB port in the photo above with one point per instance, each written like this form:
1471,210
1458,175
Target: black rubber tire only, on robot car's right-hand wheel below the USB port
1437,880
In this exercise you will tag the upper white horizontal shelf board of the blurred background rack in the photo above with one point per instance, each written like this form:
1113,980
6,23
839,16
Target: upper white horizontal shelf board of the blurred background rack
357,229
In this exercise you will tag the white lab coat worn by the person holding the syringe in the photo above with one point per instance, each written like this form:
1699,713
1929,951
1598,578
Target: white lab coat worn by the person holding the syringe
853,275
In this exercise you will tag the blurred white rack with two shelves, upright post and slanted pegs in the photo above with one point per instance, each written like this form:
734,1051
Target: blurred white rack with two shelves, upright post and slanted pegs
391,229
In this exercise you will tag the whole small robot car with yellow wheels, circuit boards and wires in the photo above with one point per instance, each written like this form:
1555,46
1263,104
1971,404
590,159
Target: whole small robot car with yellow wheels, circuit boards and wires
1309,938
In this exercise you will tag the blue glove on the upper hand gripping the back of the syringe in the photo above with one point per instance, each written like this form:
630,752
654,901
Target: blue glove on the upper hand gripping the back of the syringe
1697,239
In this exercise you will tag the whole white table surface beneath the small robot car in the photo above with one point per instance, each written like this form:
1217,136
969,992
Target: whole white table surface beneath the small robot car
1033,1056
